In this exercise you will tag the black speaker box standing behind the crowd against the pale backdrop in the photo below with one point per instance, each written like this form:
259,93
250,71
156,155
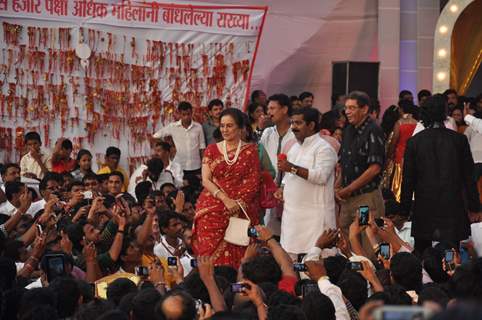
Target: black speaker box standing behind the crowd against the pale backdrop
348,76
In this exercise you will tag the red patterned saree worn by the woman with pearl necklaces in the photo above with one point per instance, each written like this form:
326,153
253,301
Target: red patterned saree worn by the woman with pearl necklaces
241,181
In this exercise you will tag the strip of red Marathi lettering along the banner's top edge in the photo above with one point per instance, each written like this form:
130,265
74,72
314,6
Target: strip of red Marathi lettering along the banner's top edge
223,19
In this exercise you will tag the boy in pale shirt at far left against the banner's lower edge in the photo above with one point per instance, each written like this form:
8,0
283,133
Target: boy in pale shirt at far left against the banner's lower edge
37,162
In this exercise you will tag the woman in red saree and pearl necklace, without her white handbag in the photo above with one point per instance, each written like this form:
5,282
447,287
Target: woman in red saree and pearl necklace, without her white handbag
231,177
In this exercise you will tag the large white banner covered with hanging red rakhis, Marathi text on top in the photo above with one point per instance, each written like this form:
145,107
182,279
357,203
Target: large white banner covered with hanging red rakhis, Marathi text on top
142,59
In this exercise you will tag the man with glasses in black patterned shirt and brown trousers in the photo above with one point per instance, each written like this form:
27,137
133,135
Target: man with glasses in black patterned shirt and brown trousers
362,159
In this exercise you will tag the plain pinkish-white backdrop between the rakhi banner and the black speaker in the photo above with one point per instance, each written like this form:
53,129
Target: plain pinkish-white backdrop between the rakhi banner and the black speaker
301,38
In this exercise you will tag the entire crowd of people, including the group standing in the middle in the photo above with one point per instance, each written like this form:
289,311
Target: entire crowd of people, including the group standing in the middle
281,212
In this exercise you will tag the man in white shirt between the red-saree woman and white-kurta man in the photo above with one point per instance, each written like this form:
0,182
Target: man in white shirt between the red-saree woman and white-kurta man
276,140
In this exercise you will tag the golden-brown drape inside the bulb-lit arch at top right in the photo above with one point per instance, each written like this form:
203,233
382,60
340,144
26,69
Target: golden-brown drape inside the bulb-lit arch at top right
466,47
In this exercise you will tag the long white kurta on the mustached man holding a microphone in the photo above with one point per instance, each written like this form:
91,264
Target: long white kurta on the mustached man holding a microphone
309,205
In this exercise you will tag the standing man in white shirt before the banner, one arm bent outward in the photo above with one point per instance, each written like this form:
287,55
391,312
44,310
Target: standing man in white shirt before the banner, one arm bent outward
189,139
